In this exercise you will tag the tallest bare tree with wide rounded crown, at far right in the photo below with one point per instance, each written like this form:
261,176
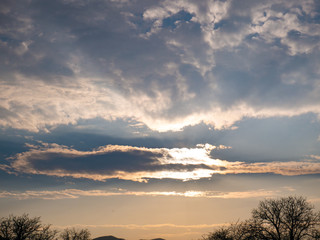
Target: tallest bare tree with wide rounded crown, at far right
289,218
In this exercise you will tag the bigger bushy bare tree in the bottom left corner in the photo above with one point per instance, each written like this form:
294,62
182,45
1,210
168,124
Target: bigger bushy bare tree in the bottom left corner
25,228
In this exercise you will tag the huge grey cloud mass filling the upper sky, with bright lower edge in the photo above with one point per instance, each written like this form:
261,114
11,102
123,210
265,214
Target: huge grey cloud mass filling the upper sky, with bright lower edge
164,64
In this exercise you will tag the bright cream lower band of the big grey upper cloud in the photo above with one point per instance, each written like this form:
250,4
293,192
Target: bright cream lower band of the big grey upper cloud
35,106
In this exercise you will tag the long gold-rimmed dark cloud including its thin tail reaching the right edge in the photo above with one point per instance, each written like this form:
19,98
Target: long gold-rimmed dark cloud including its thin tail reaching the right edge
141,164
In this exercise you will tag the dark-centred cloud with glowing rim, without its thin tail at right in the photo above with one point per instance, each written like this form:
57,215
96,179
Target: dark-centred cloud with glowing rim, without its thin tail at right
114,161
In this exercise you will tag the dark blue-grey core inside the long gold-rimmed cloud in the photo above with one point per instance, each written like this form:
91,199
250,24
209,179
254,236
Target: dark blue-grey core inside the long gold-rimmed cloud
107,163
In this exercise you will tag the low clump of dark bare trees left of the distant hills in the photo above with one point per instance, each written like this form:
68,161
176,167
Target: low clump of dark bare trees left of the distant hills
28,228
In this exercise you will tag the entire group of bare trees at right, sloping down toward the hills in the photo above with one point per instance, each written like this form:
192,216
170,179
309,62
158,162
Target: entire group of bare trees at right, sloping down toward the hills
288,218
